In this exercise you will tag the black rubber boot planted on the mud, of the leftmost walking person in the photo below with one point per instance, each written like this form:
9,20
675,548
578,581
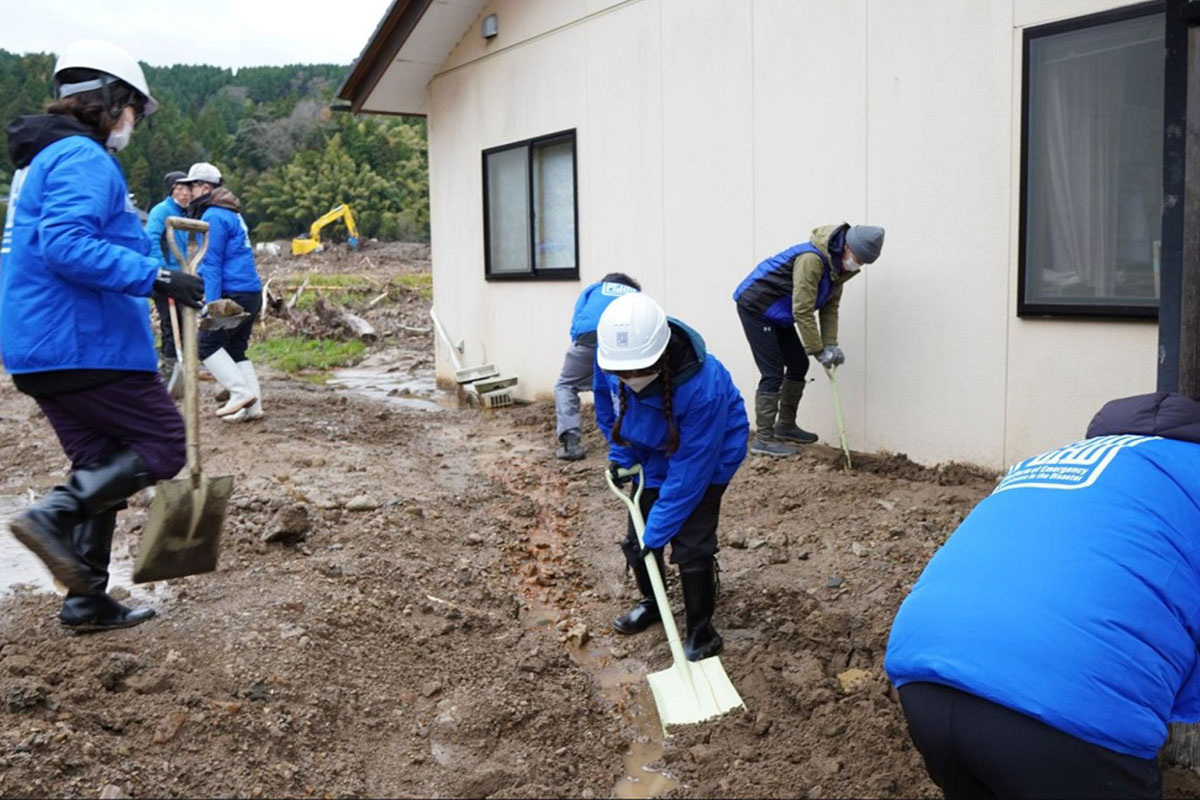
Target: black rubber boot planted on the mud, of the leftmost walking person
94,610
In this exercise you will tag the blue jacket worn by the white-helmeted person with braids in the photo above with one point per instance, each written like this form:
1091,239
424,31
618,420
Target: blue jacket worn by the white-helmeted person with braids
713,431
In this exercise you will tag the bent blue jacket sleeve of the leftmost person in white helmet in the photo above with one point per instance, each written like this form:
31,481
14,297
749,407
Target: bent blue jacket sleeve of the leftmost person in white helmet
74,212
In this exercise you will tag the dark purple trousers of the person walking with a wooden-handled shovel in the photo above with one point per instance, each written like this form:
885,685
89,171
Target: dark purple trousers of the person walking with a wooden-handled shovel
134,412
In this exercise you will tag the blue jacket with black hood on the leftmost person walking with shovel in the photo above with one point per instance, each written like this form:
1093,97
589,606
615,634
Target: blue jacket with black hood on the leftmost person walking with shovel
75,263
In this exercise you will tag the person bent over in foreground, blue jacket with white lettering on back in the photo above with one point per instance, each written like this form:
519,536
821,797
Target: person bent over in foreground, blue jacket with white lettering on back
1048,645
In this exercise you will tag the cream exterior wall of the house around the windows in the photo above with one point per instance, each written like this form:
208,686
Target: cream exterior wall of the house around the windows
712,134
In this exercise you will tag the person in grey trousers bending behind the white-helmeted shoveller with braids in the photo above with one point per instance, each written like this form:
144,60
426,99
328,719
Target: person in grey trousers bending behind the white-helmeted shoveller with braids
580,360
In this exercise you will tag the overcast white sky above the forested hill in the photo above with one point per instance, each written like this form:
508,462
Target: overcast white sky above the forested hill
223,33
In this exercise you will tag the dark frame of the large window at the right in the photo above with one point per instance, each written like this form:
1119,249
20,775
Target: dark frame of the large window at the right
1071,311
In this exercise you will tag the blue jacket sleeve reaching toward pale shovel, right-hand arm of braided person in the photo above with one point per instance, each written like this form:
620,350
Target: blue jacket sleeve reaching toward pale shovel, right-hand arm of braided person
689,472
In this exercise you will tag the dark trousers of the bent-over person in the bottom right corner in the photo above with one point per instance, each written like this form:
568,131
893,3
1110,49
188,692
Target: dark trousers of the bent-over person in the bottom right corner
976,749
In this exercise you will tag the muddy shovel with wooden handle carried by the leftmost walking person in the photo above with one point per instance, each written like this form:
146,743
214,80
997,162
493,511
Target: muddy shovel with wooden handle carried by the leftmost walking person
183,534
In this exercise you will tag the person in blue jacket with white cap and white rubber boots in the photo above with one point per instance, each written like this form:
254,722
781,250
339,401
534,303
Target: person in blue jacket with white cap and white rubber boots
229,272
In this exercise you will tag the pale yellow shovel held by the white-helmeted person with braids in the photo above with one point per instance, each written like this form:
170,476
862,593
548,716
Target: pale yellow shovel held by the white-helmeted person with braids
687,691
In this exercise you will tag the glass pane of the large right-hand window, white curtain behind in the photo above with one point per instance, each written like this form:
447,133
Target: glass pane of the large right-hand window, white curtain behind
1095,163
